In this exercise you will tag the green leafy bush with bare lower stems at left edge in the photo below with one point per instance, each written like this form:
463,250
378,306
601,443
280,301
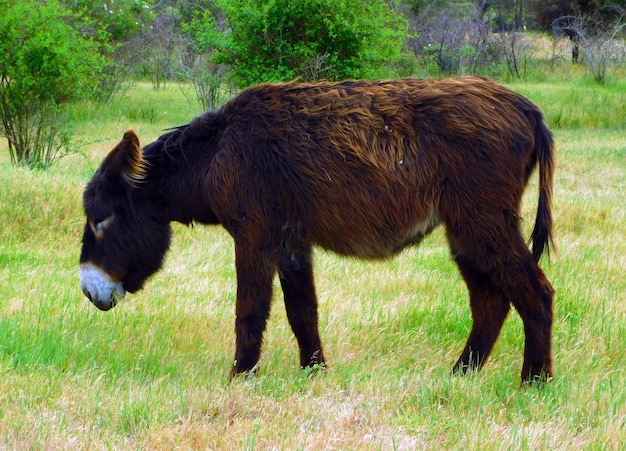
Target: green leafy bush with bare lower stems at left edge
45,63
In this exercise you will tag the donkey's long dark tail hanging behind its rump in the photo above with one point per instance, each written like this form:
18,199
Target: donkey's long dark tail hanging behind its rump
541,236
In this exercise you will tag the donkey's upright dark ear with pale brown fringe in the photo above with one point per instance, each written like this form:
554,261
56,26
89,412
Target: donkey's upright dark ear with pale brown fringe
126,160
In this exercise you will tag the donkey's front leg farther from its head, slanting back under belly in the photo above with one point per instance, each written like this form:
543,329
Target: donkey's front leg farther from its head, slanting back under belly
296,278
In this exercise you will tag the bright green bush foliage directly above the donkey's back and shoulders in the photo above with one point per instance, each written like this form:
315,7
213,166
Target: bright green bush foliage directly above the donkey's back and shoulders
275,40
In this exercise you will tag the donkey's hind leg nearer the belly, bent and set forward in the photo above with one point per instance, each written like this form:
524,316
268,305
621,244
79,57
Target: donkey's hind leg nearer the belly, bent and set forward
489,310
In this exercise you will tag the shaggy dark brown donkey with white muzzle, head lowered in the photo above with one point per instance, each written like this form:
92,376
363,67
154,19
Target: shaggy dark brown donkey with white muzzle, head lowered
361,168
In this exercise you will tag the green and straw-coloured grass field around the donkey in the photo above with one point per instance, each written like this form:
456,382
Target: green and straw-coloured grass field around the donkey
153,372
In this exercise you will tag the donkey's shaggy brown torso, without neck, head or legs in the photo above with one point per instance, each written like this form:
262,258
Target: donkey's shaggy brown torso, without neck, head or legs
367,168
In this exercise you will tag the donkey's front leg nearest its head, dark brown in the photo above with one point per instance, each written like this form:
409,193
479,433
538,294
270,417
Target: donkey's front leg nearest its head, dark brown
255,271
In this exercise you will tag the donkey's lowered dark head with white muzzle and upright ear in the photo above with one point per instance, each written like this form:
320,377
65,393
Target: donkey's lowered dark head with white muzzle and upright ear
127,234
